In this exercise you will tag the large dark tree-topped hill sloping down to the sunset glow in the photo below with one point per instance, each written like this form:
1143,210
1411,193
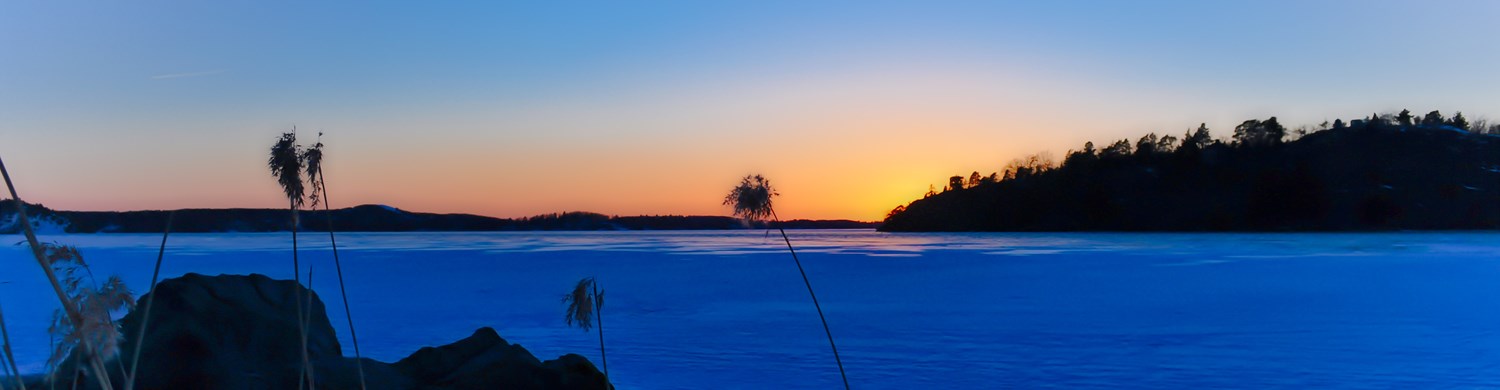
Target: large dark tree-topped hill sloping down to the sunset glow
1379,173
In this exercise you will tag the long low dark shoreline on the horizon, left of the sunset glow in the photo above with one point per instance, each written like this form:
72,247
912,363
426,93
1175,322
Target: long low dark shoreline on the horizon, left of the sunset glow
364,218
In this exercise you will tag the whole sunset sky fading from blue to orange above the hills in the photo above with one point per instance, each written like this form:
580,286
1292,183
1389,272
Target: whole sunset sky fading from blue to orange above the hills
658,109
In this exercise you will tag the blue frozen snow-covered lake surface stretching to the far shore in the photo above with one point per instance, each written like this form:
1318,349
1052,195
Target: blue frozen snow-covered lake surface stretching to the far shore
727,310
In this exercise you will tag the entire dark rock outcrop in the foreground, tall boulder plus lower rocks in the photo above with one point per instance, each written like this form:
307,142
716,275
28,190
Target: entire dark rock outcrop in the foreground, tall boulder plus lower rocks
241,332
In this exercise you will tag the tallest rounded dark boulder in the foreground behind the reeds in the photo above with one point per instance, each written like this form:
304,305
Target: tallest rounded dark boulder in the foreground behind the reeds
227,332
